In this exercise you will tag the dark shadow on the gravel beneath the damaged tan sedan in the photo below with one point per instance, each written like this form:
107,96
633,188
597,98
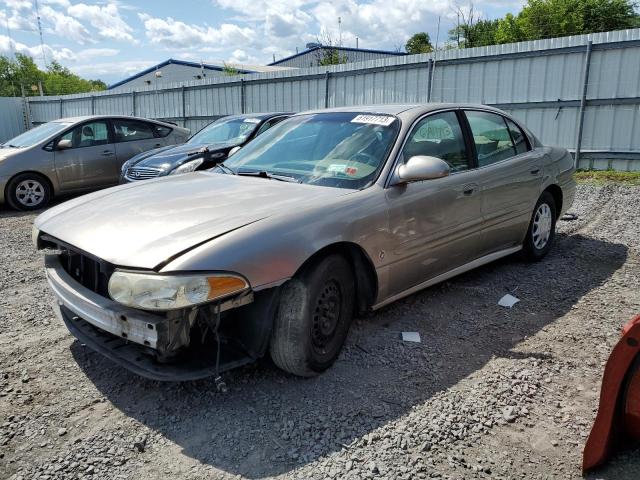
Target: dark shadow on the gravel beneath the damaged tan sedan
264,425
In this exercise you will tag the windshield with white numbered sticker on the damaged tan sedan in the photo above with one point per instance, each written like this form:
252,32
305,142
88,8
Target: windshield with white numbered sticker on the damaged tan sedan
336,149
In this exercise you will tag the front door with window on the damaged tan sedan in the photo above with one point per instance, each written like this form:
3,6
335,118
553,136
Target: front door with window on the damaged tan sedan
436,225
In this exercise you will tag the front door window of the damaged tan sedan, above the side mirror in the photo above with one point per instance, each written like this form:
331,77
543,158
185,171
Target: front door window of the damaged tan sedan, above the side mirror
439,136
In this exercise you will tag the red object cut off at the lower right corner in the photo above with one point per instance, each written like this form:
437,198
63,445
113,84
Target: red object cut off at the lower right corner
618,419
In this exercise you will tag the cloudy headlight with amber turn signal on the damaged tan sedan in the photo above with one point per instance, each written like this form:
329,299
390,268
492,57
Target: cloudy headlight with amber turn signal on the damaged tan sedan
170,292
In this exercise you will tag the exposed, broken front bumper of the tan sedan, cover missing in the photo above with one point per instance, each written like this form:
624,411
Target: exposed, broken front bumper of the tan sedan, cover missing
152,345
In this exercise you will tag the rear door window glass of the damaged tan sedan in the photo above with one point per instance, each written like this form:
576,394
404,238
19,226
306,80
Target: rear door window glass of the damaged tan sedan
491,137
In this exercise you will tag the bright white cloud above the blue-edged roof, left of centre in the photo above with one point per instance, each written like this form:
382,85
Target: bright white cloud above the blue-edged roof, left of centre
176,34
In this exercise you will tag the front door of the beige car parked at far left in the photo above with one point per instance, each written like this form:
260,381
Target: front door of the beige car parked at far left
91,160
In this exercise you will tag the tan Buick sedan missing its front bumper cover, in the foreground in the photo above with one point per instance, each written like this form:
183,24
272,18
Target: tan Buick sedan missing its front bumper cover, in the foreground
326,215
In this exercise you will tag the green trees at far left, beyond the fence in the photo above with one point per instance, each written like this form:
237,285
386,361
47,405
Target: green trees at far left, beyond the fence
22,74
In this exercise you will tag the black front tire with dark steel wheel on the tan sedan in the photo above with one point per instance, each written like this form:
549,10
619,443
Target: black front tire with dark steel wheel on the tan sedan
313,317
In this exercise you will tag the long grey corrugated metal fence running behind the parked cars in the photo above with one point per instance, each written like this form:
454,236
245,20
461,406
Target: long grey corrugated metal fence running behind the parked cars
580,92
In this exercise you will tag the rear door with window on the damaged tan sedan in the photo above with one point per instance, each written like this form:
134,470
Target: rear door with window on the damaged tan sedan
510,175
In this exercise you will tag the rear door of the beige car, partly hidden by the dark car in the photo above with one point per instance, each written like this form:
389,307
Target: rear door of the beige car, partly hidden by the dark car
133,137
